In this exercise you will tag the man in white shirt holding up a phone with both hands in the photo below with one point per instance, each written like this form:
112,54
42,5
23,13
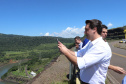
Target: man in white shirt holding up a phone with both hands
93,60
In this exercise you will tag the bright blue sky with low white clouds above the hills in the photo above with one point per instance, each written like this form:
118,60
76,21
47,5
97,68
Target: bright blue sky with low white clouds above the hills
64,18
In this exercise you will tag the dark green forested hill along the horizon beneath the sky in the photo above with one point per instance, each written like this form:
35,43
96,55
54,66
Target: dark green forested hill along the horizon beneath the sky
18,42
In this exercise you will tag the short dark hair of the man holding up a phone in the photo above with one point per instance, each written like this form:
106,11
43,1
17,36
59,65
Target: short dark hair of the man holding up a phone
95,23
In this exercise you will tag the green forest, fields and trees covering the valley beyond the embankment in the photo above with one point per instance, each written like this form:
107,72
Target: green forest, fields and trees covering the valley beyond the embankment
39,51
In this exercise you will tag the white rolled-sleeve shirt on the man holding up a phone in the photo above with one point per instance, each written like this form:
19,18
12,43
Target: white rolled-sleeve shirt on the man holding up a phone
93,61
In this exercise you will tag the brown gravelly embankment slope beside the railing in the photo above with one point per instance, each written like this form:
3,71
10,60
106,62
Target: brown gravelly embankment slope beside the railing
56,72
